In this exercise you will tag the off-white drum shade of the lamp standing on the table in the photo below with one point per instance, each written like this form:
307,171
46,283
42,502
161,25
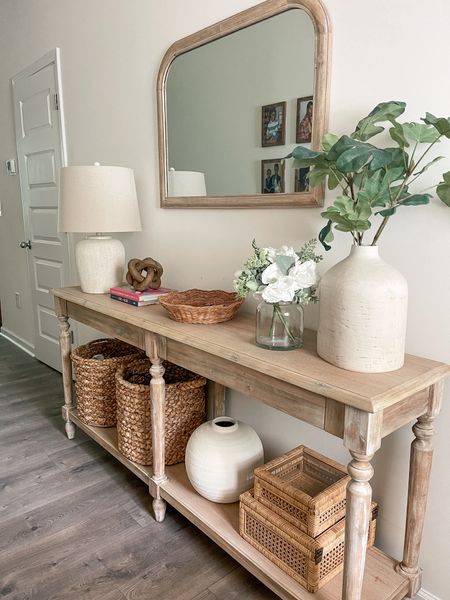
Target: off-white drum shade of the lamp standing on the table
97,199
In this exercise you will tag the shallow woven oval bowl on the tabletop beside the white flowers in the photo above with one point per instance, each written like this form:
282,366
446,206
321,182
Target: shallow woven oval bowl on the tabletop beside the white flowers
201,306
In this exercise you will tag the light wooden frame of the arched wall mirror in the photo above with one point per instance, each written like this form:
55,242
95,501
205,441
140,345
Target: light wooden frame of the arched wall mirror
322,26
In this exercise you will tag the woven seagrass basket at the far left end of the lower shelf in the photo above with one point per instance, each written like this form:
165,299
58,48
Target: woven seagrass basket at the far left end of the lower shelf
95,365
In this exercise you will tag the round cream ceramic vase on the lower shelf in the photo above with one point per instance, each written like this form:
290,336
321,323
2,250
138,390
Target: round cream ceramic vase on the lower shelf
221,457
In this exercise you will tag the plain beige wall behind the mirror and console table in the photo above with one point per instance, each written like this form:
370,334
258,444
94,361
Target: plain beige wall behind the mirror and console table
111,51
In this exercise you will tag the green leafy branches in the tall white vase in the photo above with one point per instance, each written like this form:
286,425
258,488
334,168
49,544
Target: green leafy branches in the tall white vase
374,181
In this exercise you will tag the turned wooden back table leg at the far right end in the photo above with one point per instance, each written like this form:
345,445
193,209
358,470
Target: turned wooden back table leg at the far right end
419,477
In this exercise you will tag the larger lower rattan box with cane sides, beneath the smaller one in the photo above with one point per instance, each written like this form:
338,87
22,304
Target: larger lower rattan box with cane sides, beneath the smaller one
310,561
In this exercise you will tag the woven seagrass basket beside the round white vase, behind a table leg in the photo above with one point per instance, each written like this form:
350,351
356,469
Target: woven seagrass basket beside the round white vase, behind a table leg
185,410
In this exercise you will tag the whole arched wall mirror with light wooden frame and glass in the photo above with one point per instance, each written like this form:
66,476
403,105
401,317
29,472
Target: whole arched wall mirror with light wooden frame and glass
235,98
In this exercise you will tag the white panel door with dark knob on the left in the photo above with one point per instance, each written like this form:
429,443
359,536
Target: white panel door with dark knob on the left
40,148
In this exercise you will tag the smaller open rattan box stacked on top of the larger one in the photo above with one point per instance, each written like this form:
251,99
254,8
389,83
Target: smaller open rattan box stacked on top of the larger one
305,488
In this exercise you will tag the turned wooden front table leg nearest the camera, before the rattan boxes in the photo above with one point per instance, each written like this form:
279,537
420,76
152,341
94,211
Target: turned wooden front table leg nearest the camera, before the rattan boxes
362,436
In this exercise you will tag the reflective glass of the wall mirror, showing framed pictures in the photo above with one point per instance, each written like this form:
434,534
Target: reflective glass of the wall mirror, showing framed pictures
237,105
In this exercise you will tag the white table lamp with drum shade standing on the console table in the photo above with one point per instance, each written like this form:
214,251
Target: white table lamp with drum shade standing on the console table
98,199
